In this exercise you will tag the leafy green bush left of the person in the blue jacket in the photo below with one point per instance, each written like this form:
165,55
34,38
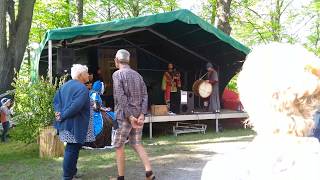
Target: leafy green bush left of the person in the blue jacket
33,107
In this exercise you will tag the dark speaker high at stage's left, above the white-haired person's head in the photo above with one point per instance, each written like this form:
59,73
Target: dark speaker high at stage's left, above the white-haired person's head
65,59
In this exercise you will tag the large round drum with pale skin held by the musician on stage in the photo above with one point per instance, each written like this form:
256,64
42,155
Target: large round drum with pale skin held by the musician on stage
202,88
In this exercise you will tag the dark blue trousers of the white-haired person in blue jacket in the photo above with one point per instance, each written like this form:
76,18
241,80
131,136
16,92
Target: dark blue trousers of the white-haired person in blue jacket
71,155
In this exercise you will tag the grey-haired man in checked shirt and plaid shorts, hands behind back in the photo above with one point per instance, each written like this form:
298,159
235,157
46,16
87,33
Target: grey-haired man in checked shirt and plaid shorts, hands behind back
131,101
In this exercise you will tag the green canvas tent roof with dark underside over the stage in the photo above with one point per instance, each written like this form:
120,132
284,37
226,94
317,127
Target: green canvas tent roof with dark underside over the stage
179,36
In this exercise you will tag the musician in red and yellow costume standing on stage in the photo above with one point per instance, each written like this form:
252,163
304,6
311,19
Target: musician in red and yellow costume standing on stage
171,82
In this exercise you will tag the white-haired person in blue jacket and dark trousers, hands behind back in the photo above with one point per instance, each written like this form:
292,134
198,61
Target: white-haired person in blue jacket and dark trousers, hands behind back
72,110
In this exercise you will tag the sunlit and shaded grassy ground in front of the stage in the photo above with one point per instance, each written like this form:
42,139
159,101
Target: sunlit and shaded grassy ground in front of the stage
168,154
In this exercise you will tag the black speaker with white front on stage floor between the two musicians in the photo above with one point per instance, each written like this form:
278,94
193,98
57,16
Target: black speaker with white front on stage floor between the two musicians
182,102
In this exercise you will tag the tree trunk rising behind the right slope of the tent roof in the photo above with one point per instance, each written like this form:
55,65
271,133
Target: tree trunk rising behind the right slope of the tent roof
223,16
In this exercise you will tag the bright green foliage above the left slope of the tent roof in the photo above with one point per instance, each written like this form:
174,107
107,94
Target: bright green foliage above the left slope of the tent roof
62,13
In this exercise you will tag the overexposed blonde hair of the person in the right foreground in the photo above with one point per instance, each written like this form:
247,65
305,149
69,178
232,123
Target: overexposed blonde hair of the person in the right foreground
280,89
